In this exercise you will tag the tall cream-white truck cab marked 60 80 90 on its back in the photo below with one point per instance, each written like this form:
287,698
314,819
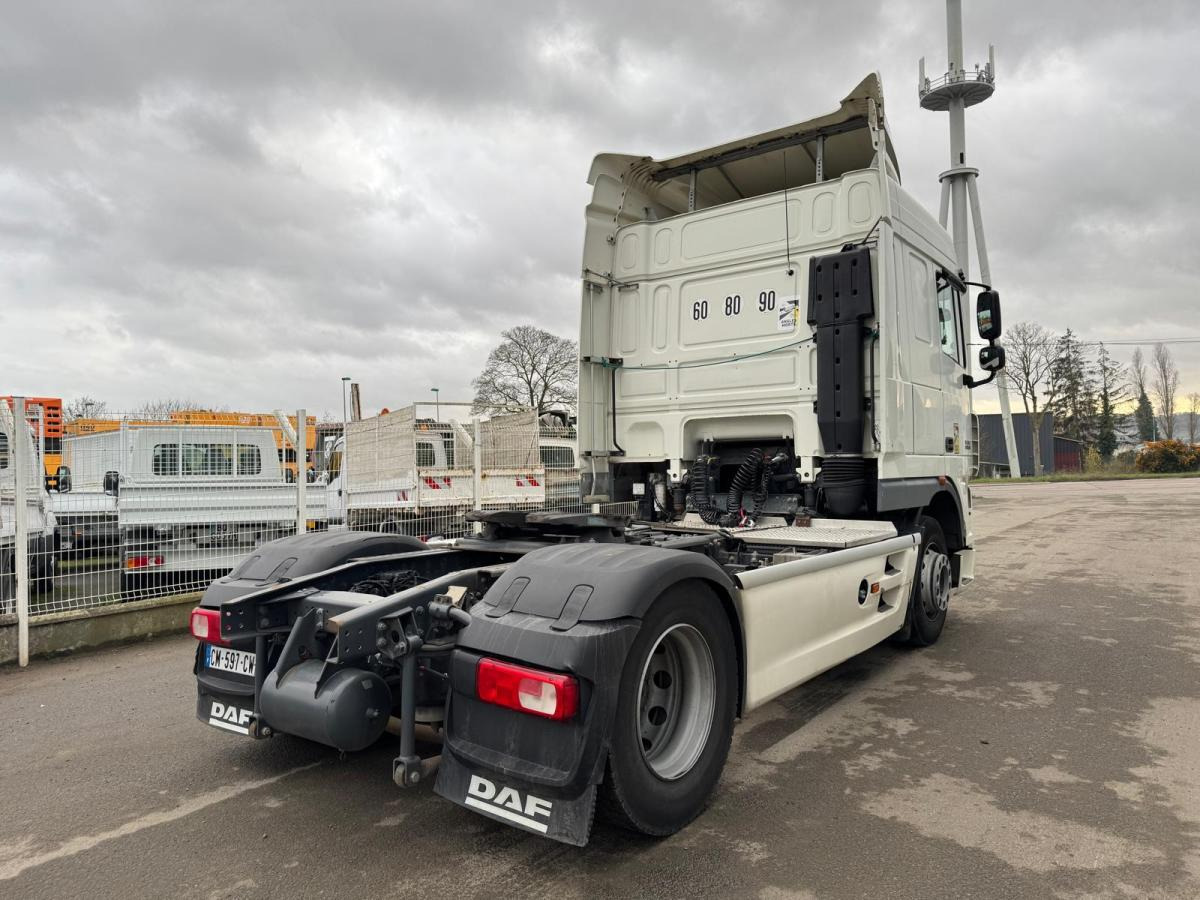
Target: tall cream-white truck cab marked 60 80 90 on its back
703,335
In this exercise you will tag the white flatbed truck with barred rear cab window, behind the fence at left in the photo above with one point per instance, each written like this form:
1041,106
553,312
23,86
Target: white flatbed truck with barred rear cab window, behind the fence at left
173,501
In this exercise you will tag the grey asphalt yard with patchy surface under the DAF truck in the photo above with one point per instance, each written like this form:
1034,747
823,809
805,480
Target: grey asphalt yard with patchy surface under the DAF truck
1048,746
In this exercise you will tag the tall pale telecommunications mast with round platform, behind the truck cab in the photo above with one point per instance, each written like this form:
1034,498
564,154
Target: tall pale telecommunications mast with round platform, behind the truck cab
953,93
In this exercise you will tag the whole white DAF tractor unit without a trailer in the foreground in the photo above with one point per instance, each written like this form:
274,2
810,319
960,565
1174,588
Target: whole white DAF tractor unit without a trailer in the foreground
773,368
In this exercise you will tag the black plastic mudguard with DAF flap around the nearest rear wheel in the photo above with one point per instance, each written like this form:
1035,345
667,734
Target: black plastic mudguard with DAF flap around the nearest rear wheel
575,609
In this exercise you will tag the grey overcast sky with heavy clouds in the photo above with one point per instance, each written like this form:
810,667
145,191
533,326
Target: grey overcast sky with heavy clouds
242,203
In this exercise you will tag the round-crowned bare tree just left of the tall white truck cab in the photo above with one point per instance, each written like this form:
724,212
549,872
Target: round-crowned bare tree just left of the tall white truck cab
532,368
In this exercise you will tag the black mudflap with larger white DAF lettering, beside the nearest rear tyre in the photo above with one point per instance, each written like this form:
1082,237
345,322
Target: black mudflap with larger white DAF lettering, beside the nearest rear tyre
561,815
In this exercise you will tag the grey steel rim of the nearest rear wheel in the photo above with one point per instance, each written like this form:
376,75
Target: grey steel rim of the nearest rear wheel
677,701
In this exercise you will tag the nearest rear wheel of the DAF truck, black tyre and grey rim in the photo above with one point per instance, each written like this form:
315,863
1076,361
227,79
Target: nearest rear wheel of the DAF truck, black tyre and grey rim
675,716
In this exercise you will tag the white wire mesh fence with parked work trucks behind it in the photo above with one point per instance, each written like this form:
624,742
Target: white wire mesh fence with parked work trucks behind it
130,508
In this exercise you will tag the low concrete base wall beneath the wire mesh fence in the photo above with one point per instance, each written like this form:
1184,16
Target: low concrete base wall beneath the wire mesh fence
61,633
